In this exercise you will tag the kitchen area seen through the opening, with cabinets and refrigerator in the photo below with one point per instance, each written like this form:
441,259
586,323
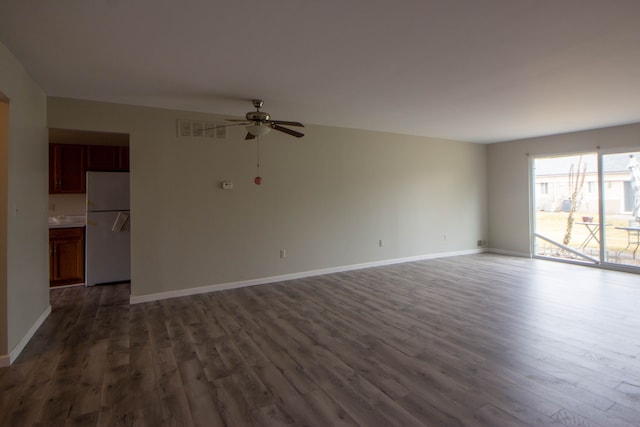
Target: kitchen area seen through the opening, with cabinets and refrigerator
89,217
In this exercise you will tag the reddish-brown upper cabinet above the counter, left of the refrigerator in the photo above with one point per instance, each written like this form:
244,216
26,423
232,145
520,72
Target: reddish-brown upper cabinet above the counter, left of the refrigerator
67,168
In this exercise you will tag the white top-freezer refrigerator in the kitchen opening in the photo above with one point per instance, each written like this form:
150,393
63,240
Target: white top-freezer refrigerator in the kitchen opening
107,235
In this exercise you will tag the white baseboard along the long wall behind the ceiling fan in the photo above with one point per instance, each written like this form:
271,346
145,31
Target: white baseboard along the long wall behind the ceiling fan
273,279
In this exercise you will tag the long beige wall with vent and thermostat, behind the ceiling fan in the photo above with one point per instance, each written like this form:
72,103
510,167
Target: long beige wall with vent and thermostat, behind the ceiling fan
327,198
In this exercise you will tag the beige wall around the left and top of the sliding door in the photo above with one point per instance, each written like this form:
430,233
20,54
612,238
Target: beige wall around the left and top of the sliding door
509,174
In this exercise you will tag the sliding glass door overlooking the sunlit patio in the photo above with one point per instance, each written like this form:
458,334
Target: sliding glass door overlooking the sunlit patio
587,208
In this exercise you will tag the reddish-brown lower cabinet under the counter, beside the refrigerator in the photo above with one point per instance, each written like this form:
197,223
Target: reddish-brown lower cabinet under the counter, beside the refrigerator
66,256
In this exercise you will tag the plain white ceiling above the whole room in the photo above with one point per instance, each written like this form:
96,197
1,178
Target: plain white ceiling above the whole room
472,70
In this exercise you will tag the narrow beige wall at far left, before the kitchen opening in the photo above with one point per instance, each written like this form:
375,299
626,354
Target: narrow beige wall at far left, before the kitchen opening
27,271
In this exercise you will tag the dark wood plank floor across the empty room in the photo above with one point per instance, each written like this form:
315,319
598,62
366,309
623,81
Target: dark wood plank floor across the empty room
474,340
